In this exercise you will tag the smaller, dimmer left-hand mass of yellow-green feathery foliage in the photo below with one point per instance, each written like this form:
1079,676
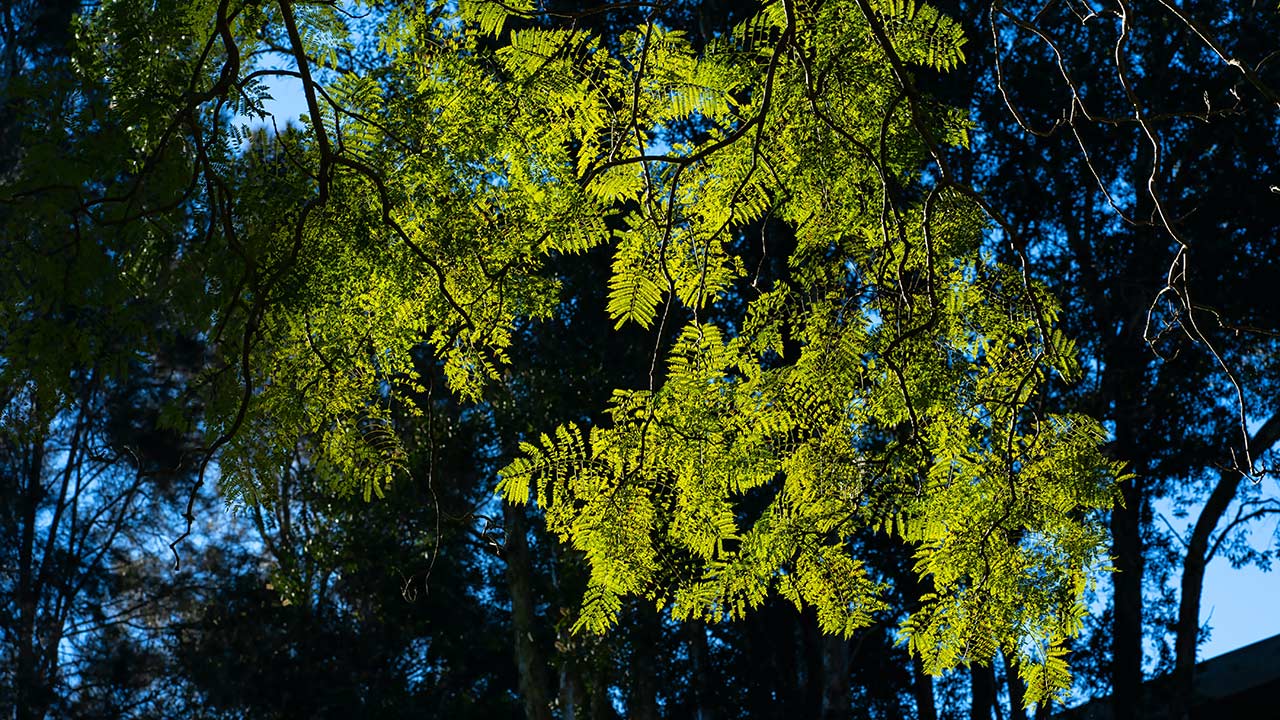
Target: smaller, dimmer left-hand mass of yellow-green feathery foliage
445,199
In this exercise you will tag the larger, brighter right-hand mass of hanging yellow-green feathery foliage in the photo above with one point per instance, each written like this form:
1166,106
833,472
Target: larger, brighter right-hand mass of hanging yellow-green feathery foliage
888,388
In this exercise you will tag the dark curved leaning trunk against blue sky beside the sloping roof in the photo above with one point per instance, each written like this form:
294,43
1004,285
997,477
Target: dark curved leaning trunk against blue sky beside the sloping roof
1199,554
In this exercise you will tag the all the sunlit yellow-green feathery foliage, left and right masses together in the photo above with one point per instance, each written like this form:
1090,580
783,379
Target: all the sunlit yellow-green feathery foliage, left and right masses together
890,384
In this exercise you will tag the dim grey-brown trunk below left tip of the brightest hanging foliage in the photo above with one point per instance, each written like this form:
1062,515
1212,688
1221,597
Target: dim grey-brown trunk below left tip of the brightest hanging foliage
531,662
